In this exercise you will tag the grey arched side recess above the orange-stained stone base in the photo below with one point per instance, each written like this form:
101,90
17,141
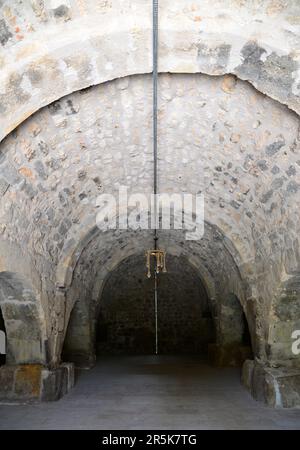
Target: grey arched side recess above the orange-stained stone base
25,332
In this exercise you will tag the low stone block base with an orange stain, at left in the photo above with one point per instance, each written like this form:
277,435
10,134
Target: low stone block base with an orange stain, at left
34,382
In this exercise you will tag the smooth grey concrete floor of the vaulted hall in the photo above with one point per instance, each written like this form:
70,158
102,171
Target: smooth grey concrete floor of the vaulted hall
148,392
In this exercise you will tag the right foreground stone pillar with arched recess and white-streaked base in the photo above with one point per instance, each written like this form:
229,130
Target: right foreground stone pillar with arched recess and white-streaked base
275,379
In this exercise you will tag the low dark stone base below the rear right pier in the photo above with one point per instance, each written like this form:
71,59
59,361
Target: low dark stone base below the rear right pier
228,355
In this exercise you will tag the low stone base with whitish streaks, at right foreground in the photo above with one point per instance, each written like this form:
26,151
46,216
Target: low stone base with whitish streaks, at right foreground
277,387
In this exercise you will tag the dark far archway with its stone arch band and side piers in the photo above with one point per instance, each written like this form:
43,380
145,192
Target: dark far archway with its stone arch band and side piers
195,316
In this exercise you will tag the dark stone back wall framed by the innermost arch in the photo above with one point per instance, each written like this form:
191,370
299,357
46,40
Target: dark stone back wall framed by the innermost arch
126,320
